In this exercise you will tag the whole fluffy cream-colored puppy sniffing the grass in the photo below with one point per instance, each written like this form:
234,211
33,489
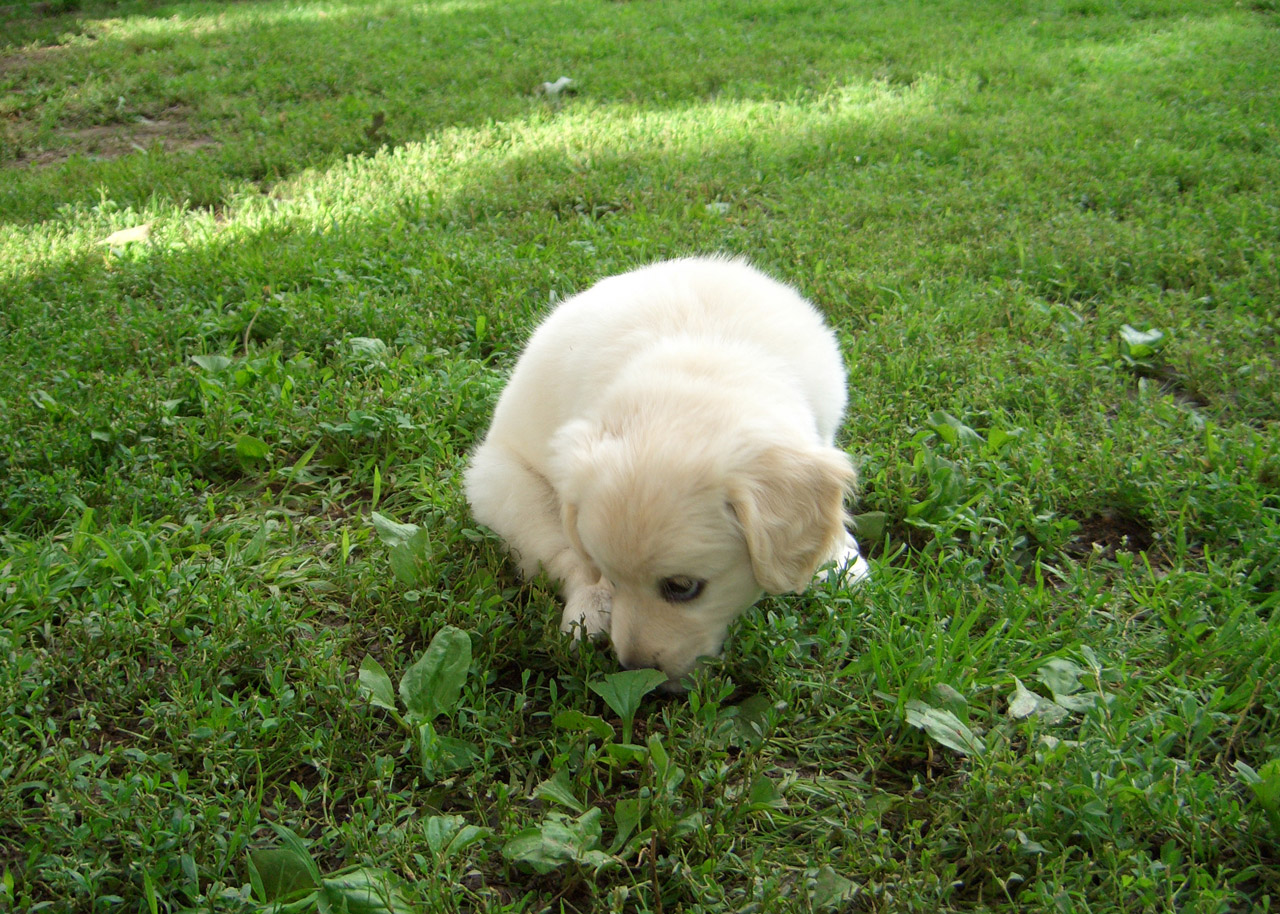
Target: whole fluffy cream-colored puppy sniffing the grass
664,450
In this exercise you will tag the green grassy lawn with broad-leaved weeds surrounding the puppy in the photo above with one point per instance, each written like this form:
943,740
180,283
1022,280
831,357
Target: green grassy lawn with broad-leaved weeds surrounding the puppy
1048,236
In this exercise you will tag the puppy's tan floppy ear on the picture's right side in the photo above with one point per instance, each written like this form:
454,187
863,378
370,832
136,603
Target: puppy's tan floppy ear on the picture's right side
792,506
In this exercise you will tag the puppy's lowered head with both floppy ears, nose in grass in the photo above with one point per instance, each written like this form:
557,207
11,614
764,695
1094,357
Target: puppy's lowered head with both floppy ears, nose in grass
689,533
